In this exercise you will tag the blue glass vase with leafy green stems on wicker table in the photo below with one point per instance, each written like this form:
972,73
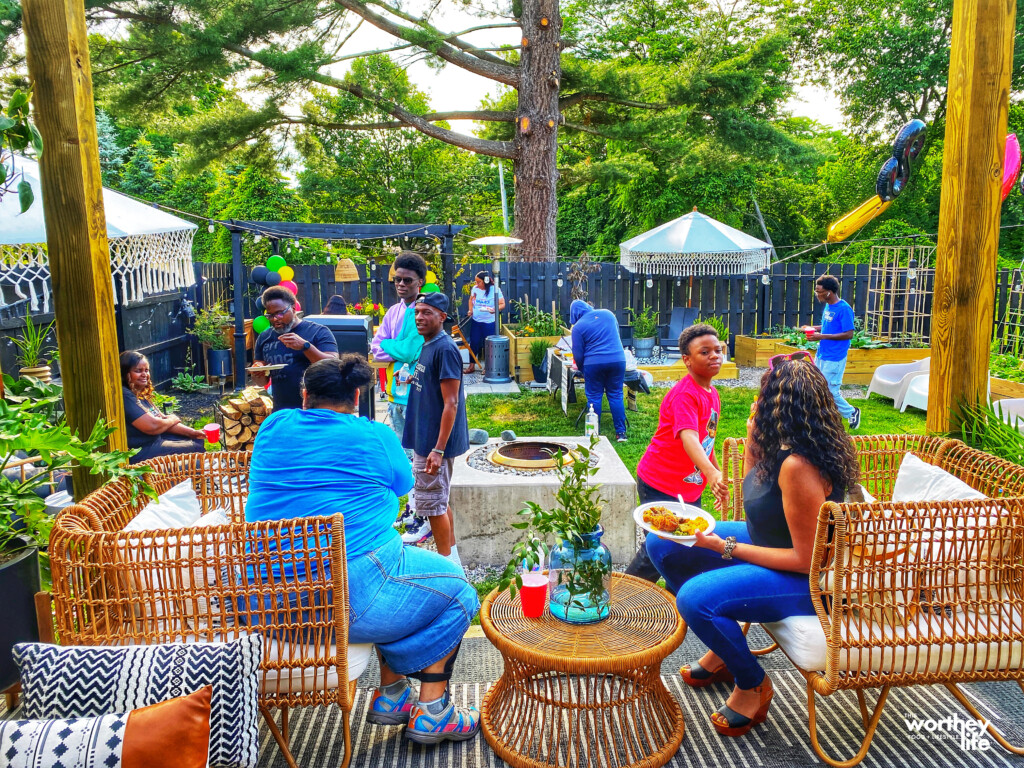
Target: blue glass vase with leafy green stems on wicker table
579,566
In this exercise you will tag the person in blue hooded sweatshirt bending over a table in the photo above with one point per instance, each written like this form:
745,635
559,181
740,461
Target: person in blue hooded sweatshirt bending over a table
598,351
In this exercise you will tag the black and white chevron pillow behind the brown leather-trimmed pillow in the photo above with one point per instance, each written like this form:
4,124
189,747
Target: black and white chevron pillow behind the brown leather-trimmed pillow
77,681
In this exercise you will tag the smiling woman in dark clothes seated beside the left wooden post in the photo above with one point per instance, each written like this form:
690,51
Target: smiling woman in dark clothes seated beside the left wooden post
149,430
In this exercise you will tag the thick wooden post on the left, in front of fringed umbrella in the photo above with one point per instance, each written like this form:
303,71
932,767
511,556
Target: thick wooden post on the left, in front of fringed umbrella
76,226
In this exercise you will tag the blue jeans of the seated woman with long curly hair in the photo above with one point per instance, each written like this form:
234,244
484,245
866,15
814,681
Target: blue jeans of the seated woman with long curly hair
715,595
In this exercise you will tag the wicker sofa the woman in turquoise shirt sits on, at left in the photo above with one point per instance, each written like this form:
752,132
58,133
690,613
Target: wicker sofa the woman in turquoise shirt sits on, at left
209,584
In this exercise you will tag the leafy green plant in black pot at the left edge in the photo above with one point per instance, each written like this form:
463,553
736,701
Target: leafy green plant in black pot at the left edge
32,424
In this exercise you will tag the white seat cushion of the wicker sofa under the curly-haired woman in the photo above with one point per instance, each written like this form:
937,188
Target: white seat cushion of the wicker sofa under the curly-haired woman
803,642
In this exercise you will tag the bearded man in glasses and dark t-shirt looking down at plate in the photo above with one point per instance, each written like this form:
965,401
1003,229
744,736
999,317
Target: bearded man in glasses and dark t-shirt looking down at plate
292,343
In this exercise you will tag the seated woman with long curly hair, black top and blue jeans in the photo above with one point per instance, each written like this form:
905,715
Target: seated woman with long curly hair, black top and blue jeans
798,457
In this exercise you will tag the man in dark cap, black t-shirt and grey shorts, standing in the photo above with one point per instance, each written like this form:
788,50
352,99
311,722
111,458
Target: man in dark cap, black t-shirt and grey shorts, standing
436,420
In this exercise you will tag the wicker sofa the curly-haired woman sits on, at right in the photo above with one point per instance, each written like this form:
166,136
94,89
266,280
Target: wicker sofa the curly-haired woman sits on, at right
911,593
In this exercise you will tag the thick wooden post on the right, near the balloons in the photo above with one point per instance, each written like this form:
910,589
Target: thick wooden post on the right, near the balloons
980,60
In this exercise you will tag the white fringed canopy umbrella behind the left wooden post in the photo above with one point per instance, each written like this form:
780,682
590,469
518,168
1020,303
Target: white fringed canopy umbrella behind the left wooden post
151,250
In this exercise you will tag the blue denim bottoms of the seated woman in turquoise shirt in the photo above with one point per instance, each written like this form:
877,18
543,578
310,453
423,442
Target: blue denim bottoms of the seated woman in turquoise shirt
413,605
